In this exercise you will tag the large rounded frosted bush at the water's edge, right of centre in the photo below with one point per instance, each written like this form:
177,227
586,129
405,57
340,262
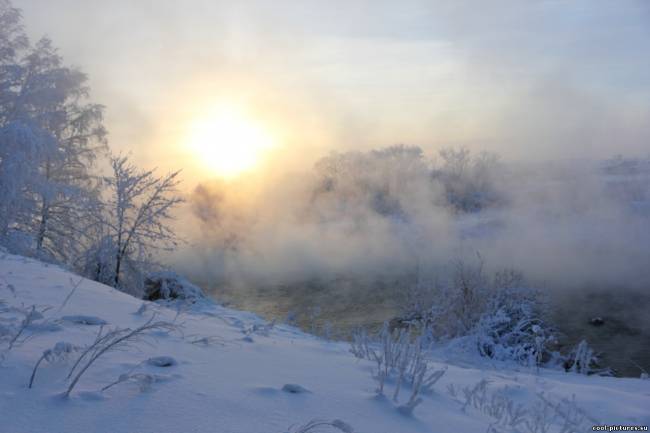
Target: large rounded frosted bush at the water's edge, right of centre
499,317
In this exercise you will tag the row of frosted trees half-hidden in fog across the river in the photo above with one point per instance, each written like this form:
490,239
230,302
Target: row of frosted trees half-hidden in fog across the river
399,181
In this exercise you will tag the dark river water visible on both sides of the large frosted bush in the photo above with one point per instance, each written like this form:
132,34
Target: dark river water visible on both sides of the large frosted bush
622,341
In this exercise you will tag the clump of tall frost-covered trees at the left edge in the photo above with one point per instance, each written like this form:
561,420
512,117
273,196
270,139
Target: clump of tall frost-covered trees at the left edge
49,137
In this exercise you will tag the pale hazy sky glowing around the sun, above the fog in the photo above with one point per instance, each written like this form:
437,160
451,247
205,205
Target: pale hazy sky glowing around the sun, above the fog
556,79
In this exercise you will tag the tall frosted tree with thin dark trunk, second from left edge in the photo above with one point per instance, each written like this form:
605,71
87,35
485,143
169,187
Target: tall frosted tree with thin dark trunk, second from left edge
55,98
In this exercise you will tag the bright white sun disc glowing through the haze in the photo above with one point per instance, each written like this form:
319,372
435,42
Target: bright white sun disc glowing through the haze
228,142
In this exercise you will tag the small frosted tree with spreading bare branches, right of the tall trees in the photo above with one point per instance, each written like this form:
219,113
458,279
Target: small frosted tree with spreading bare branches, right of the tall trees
135,222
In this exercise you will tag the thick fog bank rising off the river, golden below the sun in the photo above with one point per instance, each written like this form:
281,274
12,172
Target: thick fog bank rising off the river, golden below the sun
396,212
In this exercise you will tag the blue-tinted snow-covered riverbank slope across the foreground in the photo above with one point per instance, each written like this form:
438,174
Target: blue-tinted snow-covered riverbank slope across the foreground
234,385
